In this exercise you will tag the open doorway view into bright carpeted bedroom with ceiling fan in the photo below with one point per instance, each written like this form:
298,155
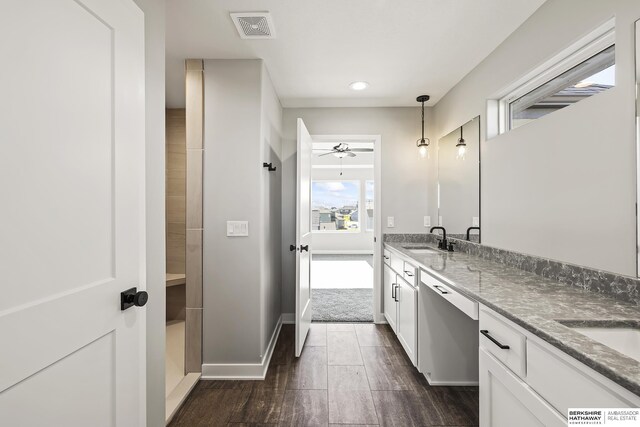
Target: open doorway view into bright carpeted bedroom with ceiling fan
343,200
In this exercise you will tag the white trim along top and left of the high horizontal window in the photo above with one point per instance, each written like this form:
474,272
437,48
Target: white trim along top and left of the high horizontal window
596,41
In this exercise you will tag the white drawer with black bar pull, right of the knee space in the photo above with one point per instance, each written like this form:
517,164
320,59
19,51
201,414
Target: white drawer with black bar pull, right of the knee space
495,332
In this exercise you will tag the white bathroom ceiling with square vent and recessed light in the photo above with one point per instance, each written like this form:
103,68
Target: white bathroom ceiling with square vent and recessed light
402,48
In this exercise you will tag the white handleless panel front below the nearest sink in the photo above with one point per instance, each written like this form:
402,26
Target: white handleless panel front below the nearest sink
565,386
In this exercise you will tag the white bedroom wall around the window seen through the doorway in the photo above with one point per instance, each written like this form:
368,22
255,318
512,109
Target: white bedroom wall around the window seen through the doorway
336,242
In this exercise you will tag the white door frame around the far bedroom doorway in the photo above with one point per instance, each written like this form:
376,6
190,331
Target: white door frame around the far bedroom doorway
378,315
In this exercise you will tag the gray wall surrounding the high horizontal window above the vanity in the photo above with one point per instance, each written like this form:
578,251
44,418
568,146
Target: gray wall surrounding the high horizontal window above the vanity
563,186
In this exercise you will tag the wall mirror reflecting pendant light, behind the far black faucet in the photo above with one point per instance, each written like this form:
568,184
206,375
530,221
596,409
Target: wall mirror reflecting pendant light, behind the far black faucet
459,181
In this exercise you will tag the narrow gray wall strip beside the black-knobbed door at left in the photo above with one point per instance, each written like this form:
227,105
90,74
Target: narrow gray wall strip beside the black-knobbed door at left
154,19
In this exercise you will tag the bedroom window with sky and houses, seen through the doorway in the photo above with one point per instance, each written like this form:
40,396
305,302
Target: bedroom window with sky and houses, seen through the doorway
334,206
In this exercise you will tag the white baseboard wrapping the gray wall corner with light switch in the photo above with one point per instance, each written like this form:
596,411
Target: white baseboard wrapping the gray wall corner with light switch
243,371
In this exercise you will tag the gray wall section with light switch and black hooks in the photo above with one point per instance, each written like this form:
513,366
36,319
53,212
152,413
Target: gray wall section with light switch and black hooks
241,275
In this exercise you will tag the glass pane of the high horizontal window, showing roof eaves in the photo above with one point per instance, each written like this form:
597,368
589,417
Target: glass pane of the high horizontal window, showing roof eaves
586,79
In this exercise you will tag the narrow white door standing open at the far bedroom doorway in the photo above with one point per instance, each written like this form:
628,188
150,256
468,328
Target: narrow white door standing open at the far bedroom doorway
303,237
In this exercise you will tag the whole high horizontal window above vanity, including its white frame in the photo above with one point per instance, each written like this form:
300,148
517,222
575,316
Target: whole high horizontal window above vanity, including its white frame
580,71
